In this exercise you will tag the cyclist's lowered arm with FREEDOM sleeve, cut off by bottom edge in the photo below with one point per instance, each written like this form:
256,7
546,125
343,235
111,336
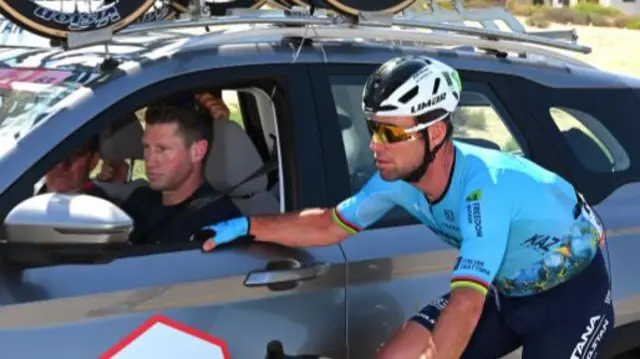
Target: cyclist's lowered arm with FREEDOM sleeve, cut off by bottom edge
484,225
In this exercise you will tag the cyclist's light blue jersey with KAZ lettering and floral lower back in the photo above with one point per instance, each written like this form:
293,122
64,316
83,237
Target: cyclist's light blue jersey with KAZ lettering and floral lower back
515,223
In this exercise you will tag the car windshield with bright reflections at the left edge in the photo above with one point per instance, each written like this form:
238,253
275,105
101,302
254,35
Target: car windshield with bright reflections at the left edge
26,95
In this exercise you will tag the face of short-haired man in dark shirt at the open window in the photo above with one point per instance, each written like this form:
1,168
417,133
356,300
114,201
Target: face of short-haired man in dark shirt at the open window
169,161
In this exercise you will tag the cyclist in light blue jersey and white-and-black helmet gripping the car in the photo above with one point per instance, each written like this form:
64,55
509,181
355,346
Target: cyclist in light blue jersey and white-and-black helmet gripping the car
530,271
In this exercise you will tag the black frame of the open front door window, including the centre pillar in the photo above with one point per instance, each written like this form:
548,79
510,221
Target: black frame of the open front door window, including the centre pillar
301,190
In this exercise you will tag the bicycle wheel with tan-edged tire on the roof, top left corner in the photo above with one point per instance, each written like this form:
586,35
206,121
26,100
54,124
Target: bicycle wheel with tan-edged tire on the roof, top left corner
57,25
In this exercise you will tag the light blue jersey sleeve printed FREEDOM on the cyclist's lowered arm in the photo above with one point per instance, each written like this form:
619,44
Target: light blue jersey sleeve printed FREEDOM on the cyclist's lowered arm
485,220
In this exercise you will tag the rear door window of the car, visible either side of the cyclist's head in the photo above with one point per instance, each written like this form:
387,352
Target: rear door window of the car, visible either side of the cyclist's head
476,121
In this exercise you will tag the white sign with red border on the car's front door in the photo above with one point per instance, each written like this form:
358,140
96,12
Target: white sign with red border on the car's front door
164,338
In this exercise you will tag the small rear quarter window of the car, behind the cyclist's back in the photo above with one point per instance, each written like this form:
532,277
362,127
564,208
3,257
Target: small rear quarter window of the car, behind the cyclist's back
594,146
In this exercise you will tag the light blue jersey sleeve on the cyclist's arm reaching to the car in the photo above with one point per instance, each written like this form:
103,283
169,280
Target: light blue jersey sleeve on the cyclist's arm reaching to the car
374,200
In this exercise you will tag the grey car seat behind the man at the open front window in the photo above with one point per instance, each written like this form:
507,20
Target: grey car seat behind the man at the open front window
233,157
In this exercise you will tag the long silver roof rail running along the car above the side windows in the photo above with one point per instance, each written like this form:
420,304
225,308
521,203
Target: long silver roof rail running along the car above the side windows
391,34
